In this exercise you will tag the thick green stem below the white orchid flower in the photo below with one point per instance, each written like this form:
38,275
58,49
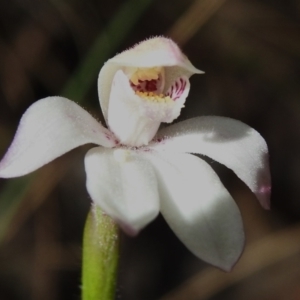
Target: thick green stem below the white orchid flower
100,256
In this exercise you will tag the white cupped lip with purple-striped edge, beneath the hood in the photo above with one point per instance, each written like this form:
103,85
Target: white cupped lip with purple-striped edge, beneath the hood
135,119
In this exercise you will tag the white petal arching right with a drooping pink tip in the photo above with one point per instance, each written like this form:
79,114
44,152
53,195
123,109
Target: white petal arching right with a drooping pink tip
230,142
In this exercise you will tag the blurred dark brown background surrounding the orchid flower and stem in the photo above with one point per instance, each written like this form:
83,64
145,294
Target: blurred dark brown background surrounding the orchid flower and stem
250,53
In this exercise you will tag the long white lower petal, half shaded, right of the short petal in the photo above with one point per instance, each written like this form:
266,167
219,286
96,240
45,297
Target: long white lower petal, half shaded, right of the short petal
199,209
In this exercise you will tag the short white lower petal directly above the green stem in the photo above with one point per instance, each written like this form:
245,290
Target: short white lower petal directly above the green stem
124,185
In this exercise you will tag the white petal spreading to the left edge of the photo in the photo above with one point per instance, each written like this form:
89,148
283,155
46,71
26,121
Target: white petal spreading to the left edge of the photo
49,128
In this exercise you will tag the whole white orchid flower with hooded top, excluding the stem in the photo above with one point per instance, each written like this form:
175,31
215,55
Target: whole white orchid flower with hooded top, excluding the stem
136,172
